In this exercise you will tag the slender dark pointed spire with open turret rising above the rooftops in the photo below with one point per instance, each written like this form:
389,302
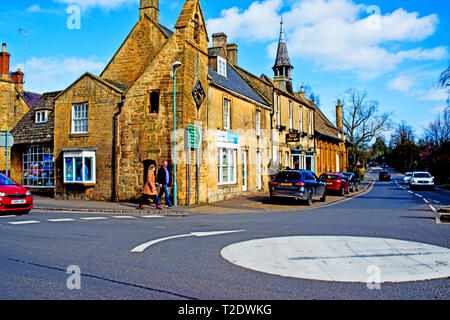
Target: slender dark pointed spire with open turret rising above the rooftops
283,67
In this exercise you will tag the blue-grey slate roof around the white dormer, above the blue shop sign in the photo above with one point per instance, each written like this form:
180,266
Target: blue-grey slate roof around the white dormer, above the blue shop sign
235,83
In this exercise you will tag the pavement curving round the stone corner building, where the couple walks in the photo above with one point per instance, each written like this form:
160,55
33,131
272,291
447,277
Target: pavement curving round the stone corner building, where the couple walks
252,203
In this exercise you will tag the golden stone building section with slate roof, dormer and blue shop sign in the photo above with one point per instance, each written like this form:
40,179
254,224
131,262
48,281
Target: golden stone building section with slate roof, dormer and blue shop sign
238,128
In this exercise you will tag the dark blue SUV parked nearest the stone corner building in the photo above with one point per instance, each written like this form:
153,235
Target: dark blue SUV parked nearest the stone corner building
298,184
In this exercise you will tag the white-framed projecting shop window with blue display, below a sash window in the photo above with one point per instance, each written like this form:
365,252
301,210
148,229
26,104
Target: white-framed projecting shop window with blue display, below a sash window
79,167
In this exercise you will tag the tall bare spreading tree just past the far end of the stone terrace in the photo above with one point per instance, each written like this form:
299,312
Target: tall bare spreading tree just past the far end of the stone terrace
362,121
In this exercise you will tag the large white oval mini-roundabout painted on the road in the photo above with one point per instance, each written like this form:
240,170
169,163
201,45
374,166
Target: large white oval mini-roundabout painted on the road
342,259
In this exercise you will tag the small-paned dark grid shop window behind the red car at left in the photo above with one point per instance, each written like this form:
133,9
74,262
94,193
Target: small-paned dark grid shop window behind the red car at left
38,167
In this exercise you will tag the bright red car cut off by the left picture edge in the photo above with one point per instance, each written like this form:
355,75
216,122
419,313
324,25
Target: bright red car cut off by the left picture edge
14,197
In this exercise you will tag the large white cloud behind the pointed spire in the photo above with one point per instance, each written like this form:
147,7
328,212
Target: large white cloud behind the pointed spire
335,34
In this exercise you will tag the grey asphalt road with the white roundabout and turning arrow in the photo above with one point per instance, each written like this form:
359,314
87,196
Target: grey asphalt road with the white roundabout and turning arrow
387,232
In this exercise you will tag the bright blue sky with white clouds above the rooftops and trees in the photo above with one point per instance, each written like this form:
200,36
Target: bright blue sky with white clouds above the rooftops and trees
395,50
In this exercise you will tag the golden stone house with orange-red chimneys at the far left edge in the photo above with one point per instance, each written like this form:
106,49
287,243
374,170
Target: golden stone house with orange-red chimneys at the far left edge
14,101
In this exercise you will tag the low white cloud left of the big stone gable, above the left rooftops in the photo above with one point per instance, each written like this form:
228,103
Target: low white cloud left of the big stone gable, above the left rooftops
56,73
